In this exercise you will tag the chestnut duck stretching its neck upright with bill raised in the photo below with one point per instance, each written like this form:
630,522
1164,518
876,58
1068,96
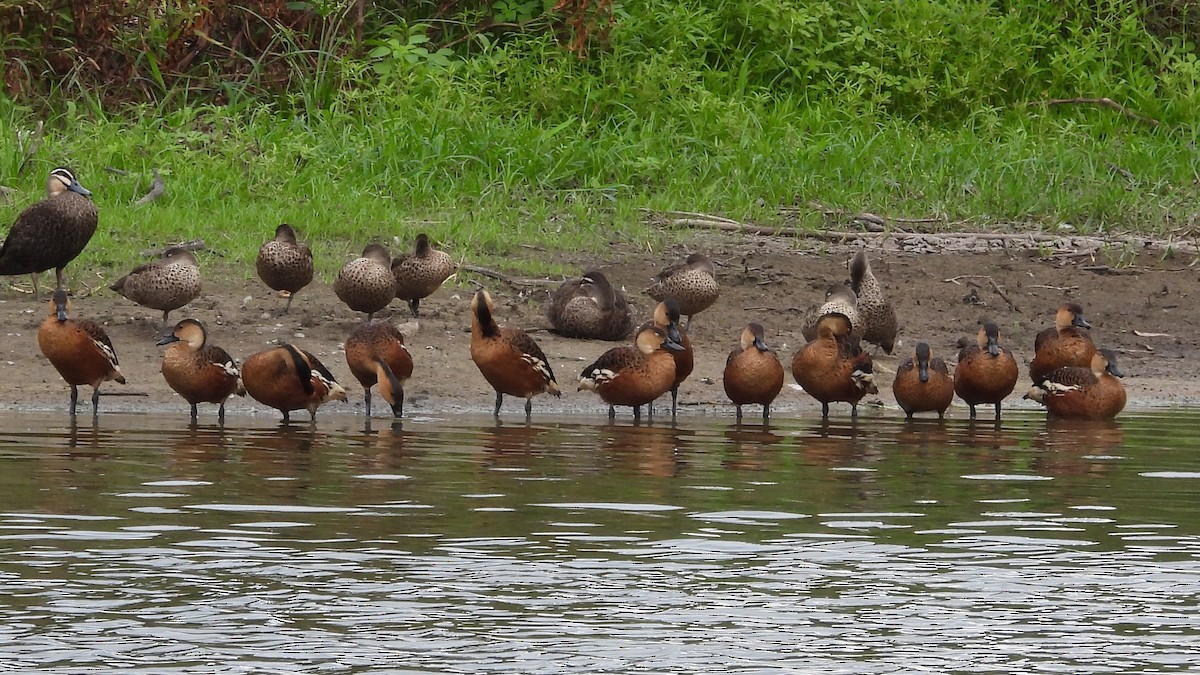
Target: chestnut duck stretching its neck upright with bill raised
508,359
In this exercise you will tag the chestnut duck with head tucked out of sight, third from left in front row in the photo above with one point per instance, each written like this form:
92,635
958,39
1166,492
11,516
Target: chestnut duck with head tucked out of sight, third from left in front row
289,379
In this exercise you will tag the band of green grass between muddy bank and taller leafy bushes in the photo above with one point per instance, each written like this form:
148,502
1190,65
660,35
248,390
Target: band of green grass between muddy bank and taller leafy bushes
483,181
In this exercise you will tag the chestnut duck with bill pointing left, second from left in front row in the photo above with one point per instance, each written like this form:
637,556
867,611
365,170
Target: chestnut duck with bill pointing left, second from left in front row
199,372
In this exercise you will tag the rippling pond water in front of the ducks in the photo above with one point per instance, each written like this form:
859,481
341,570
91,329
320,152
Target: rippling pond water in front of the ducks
465,546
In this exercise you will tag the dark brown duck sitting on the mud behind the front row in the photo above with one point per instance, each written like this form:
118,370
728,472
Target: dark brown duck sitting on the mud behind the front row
590,308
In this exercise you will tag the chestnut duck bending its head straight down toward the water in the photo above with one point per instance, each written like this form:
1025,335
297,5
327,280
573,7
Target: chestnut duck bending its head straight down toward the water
376,354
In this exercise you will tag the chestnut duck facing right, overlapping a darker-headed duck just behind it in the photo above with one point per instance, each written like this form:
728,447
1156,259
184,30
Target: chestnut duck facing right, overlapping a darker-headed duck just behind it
634,375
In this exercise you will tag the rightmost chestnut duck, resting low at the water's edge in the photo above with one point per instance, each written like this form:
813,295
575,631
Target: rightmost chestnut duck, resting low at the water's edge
1083,393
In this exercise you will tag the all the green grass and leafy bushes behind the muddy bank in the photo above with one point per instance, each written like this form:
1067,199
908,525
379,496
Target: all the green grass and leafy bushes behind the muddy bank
491,124
